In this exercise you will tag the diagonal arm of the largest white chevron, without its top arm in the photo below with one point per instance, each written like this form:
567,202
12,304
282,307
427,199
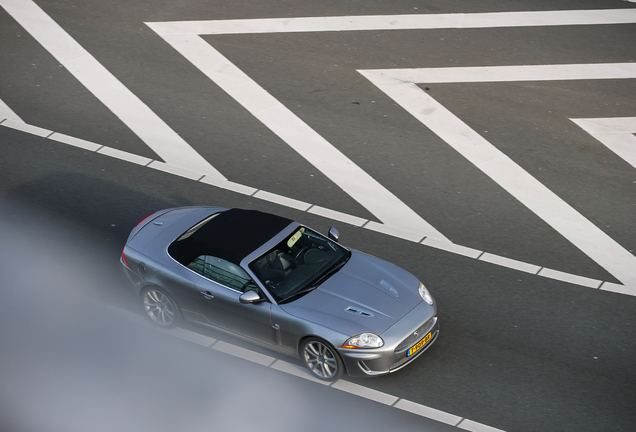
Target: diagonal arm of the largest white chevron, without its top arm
297,134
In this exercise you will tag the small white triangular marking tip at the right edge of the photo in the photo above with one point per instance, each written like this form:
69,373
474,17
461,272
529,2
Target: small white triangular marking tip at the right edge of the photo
616,133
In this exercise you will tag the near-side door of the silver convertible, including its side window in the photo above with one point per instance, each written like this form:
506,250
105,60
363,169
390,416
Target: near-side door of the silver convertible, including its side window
217,294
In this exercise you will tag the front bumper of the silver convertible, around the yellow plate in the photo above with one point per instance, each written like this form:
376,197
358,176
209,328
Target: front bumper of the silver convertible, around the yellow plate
398,340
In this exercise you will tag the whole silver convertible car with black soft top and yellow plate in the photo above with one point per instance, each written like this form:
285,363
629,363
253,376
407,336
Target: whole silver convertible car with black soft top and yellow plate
282,285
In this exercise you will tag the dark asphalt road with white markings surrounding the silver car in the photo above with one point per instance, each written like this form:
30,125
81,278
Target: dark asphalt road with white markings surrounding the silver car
487,147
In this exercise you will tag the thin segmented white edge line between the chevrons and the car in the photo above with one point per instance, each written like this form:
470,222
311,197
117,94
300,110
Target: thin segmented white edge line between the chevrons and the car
342,217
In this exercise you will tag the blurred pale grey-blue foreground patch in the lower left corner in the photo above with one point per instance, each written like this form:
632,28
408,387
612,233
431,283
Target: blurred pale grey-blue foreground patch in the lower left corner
71,362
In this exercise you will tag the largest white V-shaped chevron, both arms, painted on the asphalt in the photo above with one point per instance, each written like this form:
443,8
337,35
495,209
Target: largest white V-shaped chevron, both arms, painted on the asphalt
396,217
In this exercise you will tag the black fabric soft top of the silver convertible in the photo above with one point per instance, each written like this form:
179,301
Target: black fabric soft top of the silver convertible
231,235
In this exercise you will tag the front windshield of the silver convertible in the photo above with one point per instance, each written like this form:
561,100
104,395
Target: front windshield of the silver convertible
299,264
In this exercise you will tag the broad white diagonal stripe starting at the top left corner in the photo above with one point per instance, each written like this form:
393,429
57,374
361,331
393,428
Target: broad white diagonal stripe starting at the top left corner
109,90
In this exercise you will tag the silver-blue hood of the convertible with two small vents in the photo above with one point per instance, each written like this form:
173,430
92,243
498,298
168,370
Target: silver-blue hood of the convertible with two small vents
367,295
